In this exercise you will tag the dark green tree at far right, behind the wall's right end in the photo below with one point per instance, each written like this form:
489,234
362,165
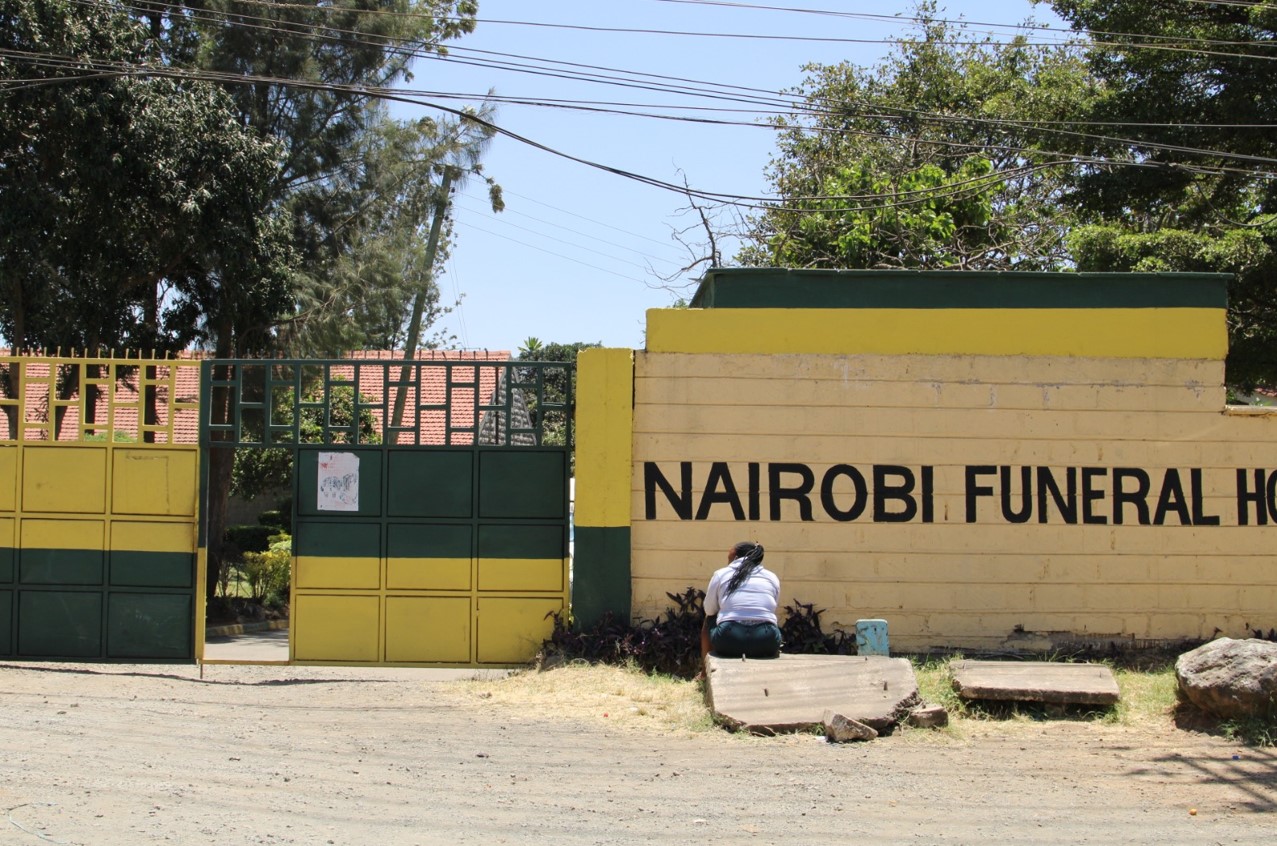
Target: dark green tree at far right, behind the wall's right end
1187,108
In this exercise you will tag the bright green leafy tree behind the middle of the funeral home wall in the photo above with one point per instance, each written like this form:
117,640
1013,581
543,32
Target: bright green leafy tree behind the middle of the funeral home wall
929,160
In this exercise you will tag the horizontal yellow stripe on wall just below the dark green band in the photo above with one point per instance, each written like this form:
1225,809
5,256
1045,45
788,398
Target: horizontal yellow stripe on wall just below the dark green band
1109,333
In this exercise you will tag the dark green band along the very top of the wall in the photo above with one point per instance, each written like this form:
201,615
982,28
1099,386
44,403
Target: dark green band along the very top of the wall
782,288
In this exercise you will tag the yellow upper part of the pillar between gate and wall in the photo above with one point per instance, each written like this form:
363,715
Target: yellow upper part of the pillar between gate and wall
605,424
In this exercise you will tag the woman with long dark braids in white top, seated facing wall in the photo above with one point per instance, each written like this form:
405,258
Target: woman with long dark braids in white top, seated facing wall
741,608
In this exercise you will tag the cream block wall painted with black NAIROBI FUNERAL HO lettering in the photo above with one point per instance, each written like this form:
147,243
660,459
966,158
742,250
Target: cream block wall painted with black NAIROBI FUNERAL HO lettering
947,582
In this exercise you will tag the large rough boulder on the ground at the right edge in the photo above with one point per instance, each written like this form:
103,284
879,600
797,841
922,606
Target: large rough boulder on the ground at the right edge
1230,679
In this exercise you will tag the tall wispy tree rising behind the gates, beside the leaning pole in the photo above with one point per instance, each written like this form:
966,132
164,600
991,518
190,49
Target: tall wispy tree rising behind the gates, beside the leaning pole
349,177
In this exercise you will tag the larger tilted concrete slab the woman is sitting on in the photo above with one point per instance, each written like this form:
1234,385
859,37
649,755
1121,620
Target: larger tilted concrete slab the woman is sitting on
792,693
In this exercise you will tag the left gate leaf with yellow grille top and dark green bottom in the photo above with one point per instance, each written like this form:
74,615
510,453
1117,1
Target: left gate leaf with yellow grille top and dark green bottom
99,466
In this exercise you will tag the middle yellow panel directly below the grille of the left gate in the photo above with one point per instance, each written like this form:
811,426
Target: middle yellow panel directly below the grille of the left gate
64,480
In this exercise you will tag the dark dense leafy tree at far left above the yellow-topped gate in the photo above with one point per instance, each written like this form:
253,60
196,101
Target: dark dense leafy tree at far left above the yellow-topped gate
132,210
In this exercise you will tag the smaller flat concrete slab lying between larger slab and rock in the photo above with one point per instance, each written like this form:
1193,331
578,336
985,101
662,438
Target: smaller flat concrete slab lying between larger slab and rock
1066,684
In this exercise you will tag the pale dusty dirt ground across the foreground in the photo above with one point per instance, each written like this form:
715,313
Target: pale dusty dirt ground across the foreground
250,755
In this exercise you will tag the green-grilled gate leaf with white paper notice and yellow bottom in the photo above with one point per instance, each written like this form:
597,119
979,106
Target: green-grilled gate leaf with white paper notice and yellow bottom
431,502
